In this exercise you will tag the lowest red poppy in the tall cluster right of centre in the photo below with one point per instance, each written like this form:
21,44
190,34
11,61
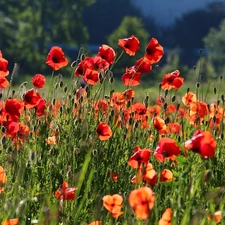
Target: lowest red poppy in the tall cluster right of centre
131,77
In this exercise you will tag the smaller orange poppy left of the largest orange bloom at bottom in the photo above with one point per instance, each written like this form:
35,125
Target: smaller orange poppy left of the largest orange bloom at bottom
113,203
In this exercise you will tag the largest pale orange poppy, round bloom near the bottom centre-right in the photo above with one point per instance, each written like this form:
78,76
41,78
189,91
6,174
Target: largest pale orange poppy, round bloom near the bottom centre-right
142,201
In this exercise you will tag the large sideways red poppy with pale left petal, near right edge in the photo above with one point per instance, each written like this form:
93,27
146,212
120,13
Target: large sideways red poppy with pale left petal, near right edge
202,143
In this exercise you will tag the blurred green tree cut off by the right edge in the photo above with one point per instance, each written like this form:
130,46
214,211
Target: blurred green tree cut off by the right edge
215,45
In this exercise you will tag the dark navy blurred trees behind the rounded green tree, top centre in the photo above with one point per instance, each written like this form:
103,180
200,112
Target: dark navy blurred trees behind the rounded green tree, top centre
103,17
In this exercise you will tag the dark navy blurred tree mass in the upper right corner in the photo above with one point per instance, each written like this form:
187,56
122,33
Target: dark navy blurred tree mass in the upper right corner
189,30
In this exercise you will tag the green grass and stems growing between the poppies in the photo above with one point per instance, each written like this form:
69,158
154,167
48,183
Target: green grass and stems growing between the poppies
36,169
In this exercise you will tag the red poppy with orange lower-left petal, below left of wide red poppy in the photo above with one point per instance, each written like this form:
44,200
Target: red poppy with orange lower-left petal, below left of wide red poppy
140,156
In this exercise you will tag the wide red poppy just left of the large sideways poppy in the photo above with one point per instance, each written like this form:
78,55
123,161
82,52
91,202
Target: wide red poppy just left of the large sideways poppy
166,149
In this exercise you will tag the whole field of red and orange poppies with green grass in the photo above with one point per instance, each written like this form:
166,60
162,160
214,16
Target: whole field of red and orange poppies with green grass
78,154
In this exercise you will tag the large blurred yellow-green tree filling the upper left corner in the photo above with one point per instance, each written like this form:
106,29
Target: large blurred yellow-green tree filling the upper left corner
29,27
